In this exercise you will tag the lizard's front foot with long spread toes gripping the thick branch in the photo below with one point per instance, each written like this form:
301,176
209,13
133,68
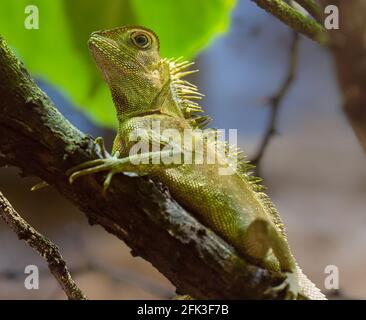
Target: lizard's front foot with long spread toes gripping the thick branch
111,164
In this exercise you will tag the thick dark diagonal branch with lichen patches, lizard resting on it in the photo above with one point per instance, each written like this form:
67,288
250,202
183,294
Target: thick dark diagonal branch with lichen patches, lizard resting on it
35,137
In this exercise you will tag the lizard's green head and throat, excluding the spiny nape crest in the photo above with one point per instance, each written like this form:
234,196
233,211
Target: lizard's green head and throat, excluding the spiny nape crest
129,60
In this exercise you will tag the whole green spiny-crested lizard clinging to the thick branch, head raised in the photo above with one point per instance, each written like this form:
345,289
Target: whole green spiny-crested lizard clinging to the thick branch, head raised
147,89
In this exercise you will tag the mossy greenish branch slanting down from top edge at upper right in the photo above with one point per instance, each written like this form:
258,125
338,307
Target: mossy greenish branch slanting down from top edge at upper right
294,19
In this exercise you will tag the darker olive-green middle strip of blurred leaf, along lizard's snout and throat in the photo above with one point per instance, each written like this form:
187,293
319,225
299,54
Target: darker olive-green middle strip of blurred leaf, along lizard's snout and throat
96,15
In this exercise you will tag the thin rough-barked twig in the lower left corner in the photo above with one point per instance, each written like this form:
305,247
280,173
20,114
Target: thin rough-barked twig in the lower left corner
43,246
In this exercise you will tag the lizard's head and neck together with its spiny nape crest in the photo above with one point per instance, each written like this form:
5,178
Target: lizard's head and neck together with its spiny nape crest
141,81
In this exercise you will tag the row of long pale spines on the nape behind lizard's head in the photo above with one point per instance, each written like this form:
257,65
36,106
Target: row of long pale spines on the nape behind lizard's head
186,92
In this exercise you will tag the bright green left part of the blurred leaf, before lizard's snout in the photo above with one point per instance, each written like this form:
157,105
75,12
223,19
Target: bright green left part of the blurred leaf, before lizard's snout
47,52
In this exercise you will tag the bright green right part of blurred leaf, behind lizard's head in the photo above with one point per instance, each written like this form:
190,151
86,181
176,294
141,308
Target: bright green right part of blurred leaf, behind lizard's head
184,27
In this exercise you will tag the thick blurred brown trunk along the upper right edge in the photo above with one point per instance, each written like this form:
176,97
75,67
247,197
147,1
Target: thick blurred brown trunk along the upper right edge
349,50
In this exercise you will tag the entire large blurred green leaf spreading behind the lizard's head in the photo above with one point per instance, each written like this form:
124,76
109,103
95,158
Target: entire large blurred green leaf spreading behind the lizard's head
57,52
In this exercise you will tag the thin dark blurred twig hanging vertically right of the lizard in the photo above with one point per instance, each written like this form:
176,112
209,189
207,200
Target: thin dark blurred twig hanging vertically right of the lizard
276,101
